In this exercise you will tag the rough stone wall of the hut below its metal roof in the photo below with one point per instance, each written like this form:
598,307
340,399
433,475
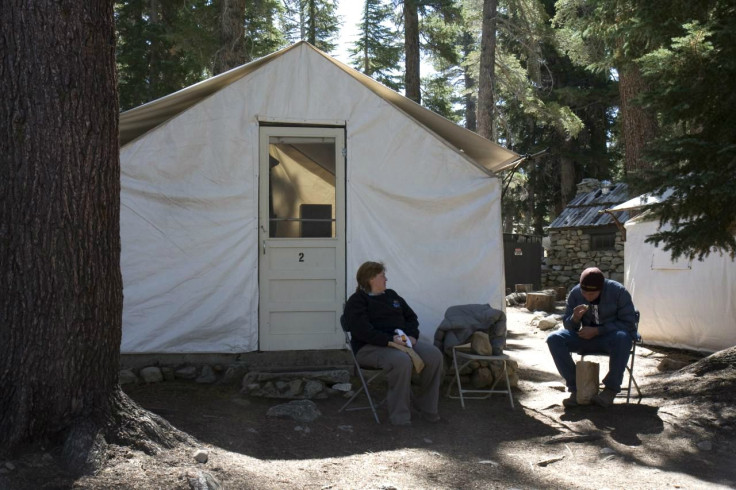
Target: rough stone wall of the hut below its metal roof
569,254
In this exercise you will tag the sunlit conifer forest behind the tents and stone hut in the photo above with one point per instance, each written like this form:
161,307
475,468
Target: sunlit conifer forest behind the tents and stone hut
617,90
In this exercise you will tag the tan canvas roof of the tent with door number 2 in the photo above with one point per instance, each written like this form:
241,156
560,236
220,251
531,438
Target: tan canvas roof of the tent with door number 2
136,122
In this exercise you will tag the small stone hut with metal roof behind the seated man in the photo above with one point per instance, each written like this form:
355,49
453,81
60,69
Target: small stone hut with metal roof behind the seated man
582,236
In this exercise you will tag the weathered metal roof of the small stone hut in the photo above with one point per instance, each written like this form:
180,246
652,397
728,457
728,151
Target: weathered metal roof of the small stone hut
584,209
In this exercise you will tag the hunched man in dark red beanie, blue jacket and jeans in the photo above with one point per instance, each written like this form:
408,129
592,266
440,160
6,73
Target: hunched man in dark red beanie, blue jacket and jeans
599,317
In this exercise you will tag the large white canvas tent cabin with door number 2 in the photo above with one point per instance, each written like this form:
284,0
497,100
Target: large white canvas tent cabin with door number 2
249,200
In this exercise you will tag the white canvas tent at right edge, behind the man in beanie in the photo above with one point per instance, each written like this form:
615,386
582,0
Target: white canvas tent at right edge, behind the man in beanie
685,304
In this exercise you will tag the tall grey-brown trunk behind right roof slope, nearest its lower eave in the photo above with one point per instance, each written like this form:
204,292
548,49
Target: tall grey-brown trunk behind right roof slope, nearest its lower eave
486,79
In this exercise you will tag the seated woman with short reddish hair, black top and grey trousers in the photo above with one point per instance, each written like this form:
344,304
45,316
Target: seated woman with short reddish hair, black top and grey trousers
373,314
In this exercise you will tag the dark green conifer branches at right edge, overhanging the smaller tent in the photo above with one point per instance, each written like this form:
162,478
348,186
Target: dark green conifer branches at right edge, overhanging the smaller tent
691,89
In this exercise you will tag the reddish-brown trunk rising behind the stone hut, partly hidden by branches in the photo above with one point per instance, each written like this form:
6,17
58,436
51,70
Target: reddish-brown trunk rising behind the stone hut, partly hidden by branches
639,126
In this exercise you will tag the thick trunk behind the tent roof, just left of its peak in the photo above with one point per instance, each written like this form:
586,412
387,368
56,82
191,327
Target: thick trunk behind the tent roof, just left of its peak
232,36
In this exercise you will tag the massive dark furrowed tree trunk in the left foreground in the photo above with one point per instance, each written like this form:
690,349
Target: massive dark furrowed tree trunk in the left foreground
60,283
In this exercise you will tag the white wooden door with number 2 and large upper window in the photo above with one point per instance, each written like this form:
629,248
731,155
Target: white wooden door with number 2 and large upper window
302,232
